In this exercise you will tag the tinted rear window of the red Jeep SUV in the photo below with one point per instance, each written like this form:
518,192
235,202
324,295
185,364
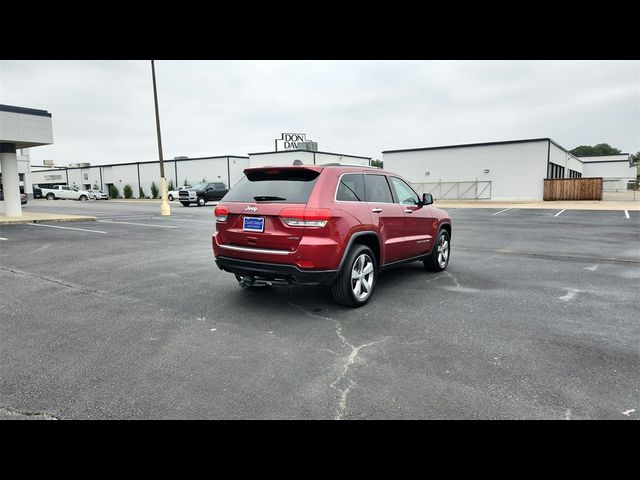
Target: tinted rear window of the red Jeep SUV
290,186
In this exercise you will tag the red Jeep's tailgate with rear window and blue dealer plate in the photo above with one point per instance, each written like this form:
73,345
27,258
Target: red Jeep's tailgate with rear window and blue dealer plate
256,202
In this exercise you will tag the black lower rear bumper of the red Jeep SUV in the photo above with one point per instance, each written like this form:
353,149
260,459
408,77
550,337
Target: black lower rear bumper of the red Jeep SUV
275,271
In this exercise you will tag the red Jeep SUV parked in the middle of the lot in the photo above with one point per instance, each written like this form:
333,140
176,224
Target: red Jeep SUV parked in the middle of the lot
329,224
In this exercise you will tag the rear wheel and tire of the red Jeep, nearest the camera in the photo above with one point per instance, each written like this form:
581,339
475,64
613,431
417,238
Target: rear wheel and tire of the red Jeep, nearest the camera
345,289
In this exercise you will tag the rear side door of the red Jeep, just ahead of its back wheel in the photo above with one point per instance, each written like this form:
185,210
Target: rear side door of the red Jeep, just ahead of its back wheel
386,215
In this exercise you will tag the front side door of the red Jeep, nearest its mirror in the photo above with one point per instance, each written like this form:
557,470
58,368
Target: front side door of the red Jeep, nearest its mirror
417,219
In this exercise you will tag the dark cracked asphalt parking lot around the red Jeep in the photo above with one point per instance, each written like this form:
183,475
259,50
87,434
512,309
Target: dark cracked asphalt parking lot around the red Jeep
128,317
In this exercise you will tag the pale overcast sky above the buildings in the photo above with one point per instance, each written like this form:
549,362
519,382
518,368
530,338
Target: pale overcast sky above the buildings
103,110
